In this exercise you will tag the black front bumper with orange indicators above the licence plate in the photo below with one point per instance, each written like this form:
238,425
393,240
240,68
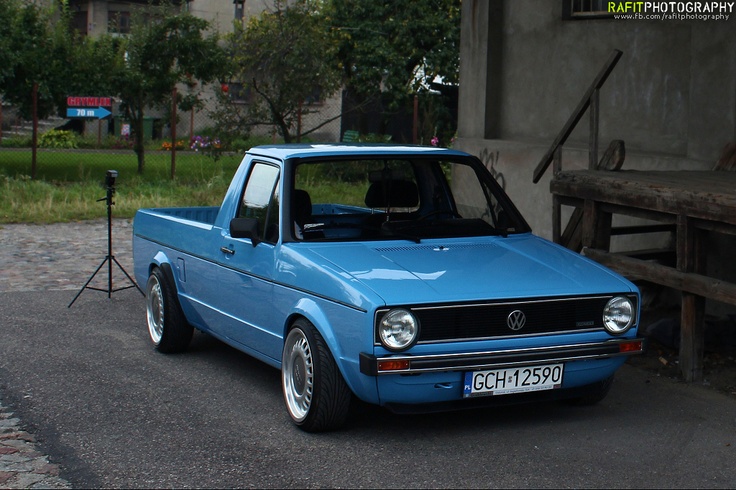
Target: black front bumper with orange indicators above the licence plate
371,365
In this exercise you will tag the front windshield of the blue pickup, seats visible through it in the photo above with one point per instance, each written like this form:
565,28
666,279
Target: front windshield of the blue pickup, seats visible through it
401,198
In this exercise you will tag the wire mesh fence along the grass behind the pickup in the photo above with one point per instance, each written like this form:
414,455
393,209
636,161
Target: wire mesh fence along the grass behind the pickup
172,137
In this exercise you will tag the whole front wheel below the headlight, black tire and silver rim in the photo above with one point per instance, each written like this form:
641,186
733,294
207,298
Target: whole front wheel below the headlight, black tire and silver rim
316,395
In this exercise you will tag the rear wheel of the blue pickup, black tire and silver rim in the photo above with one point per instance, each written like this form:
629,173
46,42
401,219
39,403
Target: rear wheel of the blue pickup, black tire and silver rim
168,328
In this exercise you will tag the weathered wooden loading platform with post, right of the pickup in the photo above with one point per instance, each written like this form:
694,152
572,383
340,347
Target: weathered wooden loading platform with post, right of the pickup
693,203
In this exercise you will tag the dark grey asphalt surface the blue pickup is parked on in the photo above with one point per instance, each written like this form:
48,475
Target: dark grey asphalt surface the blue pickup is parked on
115,413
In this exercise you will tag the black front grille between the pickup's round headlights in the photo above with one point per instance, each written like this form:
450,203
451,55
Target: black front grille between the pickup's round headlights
488,320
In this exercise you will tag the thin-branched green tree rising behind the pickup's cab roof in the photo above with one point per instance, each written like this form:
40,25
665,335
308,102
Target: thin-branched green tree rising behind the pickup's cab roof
283,58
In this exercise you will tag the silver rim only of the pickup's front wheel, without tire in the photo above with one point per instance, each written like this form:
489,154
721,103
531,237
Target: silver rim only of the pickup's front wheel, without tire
298,374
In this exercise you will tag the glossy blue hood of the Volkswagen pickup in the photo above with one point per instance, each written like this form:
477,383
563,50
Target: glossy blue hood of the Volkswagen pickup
446,271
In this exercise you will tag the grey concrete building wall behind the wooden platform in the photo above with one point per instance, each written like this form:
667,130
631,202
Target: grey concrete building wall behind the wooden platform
525,65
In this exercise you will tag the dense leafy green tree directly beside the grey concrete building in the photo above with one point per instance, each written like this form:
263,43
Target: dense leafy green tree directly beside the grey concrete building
394,49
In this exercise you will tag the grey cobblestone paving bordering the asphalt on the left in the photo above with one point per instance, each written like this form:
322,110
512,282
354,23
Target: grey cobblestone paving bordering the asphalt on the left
52,257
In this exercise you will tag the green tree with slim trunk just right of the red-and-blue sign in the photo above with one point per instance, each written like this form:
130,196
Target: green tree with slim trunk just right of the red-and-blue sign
163,49
